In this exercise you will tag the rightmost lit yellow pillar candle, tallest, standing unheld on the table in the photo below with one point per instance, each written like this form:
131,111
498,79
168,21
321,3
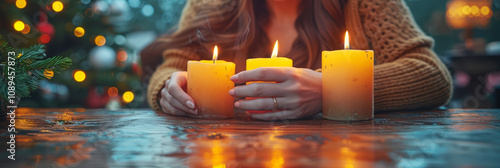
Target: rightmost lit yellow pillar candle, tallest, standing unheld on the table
347,84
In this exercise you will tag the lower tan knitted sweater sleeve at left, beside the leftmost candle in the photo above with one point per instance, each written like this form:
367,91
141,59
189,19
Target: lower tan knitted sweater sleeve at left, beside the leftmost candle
174,60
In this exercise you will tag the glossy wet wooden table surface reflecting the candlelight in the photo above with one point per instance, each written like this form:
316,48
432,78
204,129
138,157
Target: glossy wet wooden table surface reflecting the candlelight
143,138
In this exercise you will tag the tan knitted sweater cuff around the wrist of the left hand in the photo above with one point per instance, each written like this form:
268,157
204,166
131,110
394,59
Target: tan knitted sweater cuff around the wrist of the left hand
157,83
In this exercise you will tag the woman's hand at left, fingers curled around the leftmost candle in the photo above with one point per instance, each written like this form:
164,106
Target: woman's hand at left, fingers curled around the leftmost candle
174,99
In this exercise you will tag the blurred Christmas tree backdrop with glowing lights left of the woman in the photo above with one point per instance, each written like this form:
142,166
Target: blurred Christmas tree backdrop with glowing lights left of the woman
103,37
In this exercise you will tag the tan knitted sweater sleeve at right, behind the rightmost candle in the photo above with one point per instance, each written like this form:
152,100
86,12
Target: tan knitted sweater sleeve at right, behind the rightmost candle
407,74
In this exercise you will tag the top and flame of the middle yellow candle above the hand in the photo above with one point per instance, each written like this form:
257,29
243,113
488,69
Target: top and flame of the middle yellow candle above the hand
274,61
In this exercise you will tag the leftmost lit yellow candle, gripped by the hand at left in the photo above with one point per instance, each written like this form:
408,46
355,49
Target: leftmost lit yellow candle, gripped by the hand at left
209,84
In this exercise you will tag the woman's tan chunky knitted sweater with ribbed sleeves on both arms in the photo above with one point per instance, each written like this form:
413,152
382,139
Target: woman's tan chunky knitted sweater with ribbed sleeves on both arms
407,74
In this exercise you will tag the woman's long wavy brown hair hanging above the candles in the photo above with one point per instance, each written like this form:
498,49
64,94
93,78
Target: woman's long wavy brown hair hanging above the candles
237,27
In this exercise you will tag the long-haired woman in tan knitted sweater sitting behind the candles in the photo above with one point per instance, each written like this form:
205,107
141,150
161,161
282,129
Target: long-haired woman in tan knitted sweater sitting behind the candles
407,74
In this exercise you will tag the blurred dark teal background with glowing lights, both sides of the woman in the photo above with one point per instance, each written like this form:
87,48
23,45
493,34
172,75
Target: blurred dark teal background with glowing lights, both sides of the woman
104,39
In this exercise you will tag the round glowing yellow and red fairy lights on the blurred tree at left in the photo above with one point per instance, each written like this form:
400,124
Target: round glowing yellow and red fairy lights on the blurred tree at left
98,40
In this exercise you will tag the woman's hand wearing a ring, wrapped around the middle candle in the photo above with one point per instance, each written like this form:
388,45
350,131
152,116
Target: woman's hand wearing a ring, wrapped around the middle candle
297,92
